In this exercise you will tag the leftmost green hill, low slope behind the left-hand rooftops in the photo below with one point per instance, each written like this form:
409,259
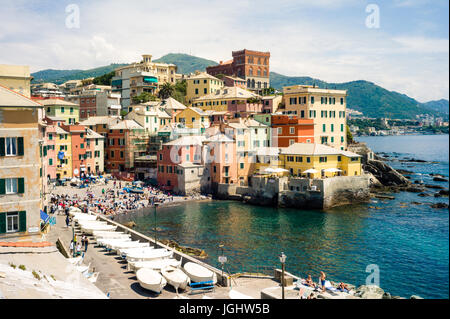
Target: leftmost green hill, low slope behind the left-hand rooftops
61,76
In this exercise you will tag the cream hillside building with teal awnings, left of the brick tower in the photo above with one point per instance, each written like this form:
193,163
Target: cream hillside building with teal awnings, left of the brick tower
144,76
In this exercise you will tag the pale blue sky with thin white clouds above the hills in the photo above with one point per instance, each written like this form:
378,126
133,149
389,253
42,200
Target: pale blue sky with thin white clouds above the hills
401,45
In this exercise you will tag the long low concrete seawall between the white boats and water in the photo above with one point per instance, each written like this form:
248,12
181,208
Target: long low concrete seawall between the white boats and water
223,280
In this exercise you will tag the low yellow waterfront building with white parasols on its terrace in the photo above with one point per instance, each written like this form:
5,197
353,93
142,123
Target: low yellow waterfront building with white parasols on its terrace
319,161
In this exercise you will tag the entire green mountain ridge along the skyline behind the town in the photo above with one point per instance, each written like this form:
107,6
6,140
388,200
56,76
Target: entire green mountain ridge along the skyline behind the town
365,96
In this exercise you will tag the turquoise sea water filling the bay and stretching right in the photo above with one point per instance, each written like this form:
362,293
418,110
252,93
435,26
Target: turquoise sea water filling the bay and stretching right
409,244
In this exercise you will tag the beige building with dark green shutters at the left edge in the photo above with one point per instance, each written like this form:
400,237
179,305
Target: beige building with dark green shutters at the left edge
21,162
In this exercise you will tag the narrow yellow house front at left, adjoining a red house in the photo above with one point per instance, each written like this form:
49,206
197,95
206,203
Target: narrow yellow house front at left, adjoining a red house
63,143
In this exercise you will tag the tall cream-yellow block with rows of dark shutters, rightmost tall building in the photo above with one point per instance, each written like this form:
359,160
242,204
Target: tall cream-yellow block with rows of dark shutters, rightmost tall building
326,107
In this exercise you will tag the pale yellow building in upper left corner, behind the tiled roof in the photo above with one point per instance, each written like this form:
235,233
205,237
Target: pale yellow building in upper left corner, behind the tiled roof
16,78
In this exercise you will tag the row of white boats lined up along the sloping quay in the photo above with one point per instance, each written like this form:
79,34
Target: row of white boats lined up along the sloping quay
154,267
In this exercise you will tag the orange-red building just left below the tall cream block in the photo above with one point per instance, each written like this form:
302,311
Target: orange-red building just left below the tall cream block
287,130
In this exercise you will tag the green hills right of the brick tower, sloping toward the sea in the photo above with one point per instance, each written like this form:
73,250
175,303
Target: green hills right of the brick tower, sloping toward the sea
370,99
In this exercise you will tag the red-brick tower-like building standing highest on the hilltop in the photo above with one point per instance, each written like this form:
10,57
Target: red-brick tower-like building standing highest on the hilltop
252,66
